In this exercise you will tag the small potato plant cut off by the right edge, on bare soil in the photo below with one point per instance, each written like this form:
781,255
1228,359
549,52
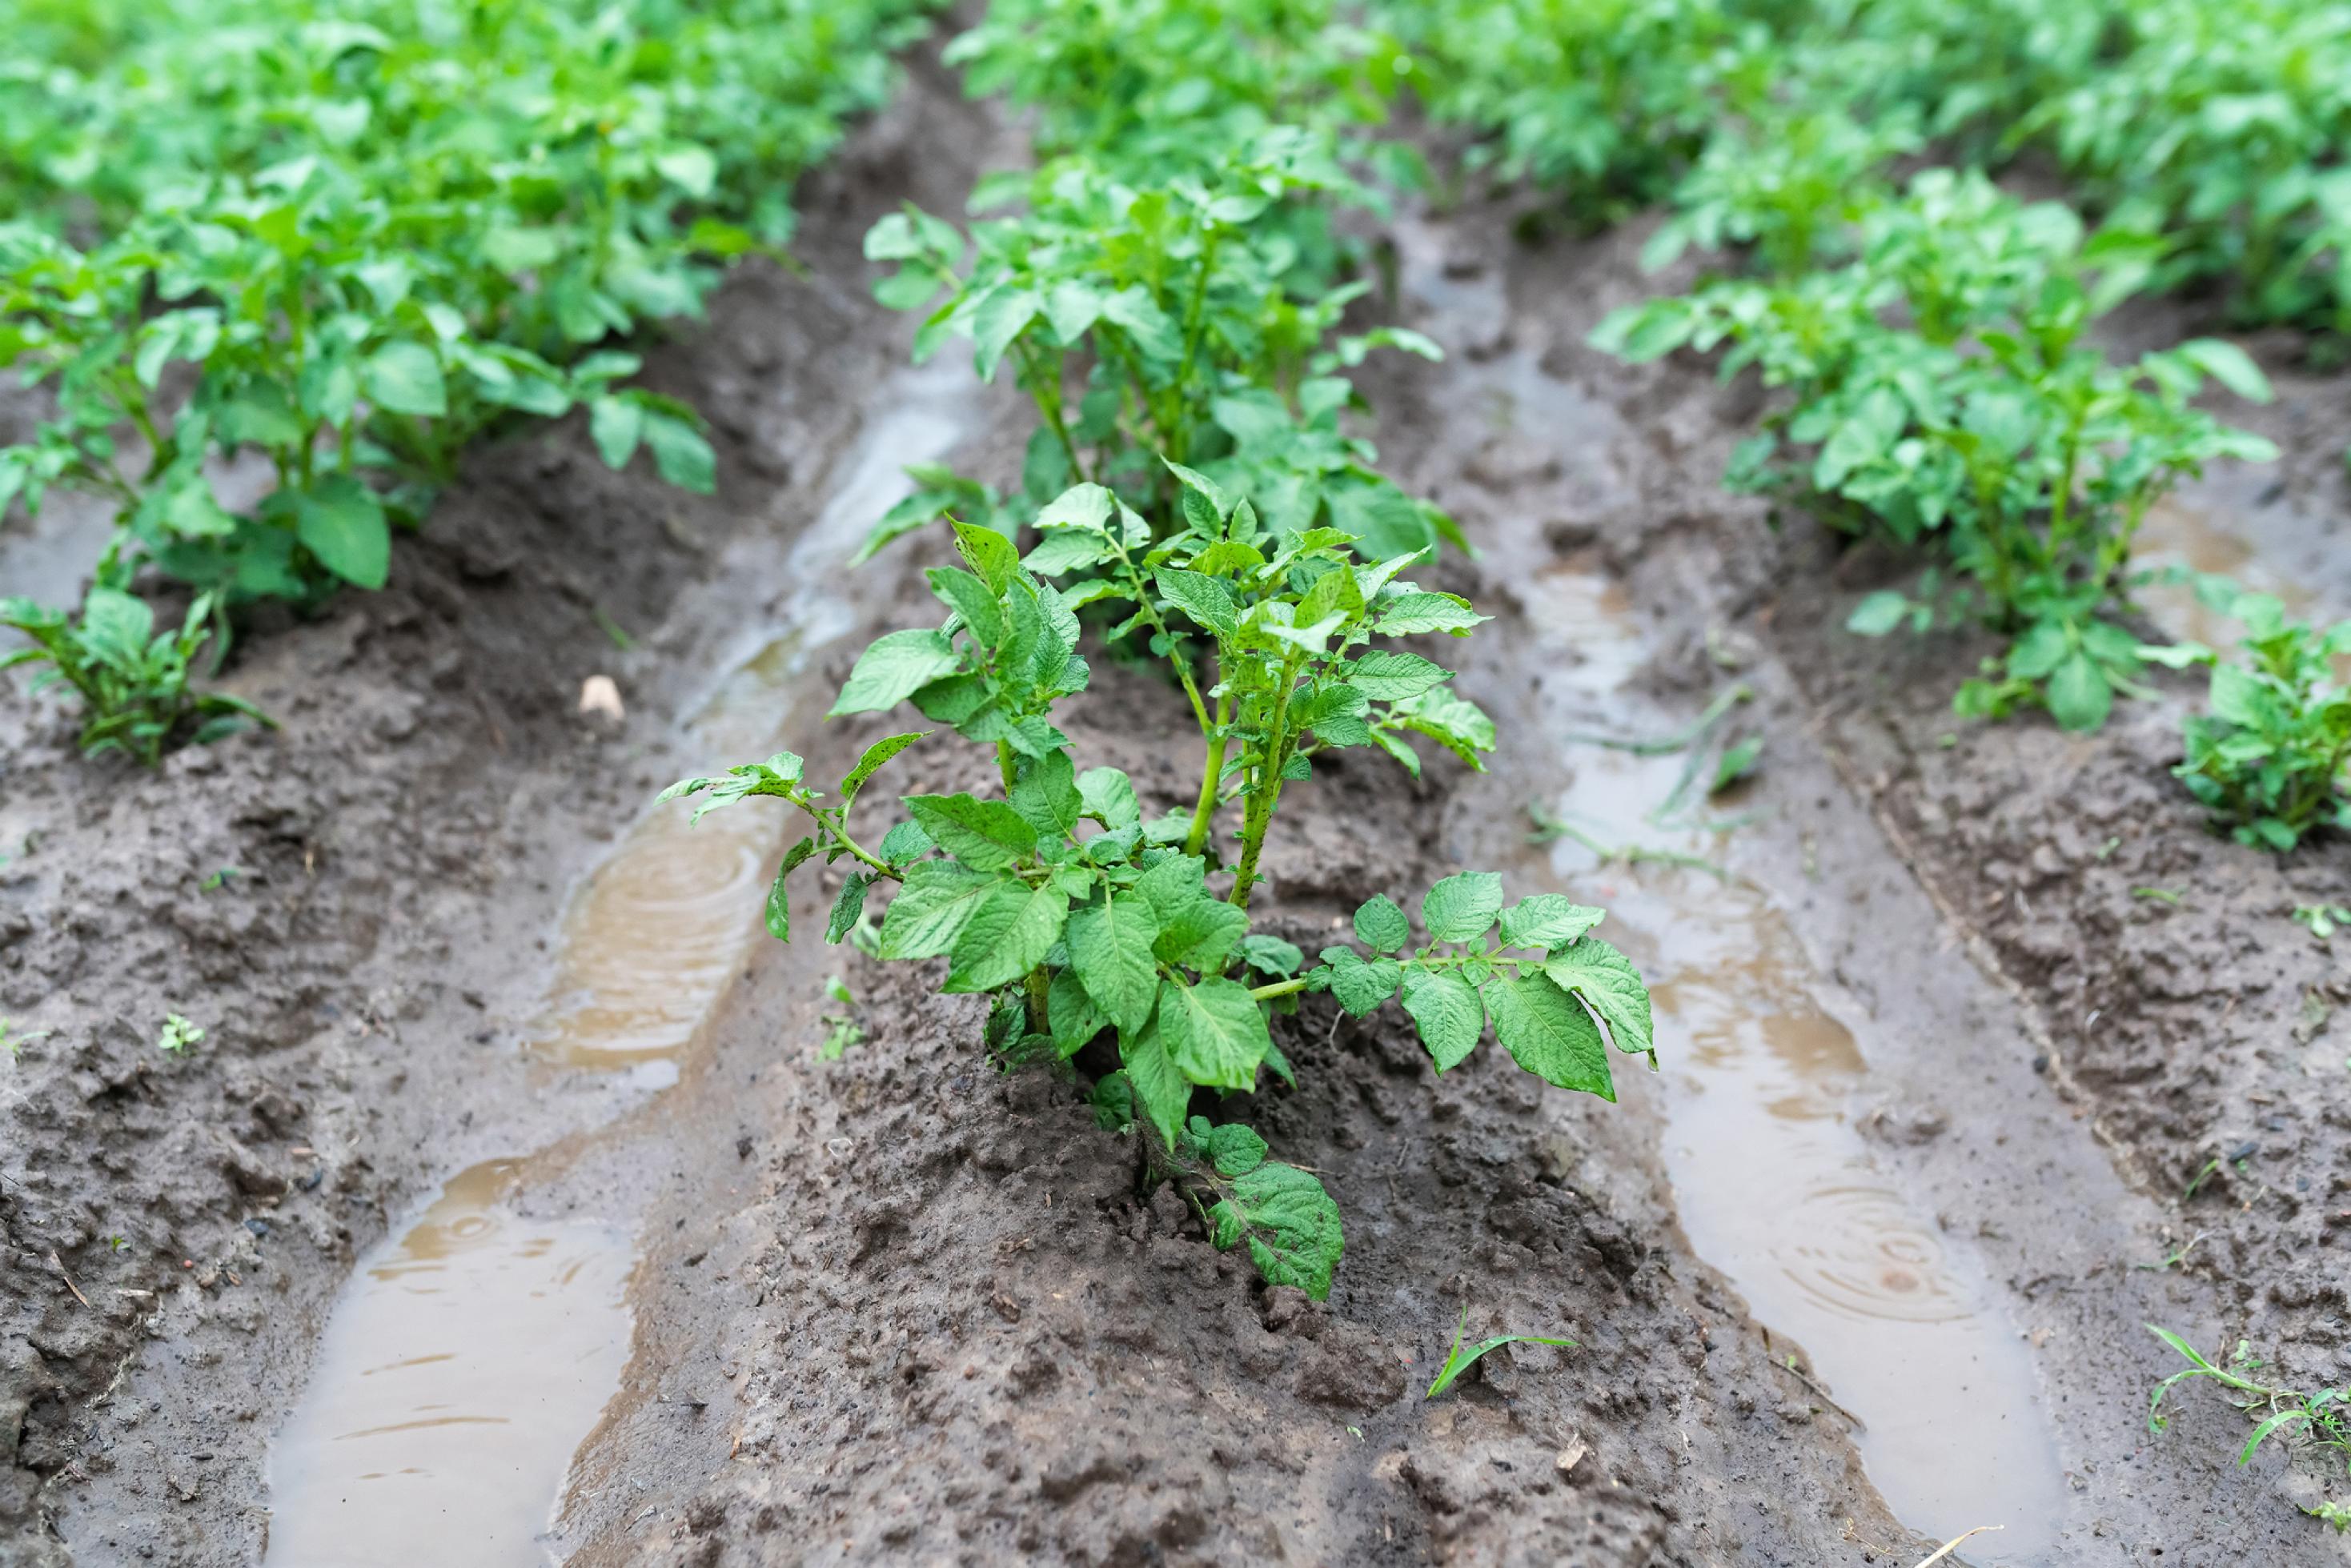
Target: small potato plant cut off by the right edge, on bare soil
2268,758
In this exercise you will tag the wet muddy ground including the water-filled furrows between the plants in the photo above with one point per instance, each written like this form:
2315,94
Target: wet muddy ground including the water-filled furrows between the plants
1858,1271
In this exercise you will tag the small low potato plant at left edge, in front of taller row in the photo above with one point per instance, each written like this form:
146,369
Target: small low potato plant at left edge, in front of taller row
133,681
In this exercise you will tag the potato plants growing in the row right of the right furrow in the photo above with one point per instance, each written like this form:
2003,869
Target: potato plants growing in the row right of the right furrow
1934,337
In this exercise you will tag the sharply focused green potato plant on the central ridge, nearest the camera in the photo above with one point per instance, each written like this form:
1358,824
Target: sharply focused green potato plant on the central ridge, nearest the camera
1085,920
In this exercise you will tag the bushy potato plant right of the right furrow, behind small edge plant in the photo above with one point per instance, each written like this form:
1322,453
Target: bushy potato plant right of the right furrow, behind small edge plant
1941,394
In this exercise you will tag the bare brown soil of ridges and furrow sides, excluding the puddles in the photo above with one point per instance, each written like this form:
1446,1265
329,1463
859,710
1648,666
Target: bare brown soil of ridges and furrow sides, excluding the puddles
904,1308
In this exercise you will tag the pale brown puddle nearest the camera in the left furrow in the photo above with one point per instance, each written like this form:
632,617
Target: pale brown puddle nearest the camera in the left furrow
460,1372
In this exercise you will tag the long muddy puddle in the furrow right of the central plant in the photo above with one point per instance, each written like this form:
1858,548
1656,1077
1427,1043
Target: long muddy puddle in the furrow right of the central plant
1887,1313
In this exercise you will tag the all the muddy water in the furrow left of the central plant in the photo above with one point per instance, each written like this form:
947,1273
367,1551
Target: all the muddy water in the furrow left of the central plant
476,1351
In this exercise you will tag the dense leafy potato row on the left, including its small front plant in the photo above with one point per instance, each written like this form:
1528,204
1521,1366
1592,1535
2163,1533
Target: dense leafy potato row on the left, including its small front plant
349,239
